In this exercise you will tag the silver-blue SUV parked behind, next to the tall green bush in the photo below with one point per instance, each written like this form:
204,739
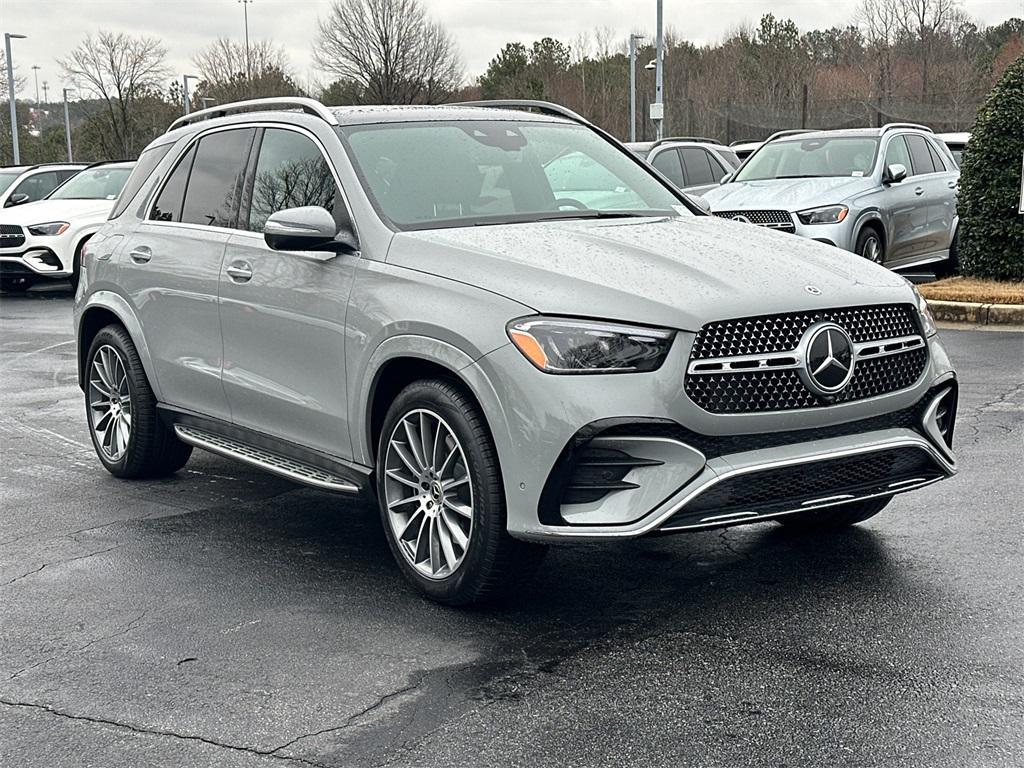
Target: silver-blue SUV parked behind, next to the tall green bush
886,194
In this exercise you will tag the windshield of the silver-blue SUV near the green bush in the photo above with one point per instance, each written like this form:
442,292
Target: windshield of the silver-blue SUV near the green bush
814,158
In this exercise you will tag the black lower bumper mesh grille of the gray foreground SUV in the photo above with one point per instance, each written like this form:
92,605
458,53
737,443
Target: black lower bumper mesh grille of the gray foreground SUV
789,488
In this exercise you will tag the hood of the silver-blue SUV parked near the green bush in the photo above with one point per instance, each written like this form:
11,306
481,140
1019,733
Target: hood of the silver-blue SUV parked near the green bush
787,194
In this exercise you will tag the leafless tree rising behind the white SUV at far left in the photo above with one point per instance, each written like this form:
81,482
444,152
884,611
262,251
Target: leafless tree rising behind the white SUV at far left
122,71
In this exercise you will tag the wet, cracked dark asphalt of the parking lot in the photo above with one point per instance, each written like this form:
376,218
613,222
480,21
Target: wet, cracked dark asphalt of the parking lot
225,618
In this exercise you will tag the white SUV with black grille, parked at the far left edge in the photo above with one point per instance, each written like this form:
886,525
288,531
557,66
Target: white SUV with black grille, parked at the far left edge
45,240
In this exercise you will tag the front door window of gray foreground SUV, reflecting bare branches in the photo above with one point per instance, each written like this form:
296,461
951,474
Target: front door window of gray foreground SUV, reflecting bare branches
291,173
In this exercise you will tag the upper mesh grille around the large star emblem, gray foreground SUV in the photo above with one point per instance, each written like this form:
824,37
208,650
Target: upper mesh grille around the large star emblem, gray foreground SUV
758,391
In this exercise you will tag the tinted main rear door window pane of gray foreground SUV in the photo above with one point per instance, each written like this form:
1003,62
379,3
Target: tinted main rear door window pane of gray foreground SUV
216,183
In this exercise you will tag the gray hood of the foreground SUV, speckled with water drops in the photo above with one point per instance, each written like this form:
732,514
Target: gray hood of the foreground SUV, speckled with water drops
679,273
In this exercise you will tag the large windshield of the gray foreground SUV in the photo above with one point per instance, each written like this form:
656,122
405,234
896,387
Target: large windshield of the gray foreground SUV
459,174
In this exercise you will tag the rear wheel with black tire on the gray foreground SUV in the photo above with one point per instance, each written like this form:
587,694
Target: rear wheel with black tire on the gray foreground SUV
146,448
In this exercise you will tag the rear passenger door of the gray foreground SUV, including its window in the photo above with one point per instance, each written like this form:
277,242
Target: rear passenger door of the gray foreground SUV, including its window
172,264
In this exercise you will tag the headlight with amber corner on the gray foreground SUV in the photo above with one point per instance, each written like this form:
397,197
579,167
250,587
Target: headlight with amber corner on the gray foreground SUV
560,346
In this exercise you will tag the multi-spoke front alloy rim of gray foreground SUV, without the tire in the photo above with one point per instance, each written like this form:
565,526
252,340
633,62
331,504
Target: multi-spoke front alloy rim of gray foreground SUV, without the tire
429,493
